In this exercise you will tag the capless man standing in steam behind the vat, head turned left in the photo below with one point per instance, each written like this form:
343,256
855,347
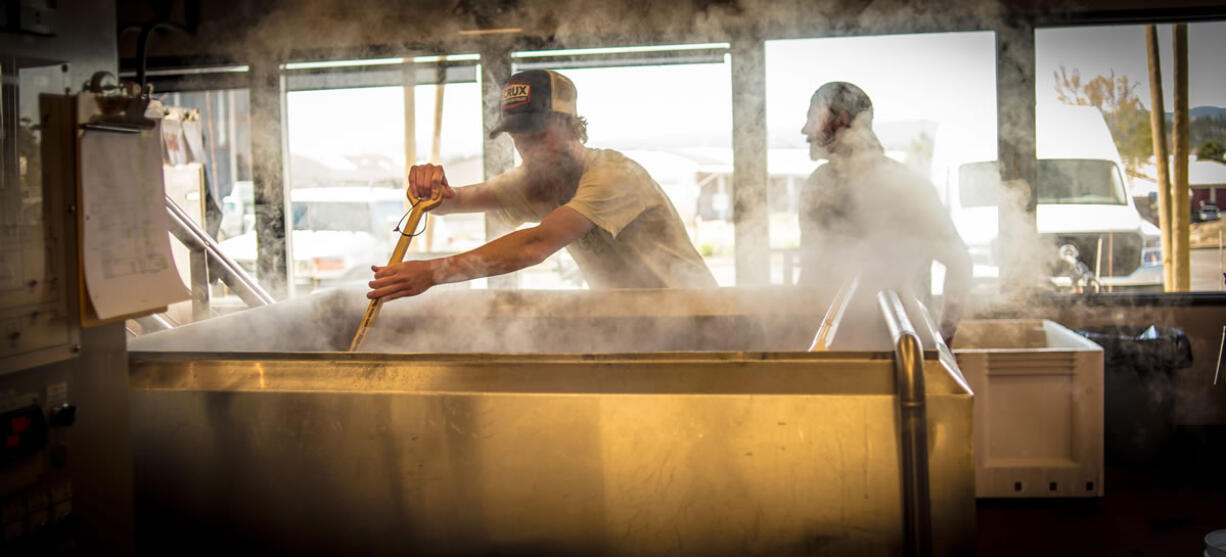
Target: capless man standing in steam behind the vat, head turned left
866,215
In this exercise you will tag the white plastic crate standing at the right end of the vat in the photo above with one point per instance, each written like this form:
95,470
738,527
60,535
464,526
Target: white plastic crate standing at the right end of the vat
1038,408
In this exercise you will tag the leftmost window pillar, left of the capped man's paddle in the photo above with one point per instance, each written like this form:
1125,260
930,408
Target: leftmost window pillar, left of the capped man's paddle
269,177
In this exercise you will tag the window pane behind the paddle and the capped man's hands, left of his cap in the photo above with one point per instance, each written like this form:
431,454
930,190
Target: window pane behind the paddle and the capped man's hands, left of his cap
349,152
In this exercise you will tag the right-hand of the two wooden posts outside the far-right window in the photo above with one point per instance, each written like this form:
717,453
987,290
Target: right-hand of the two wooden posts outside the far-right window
1180,210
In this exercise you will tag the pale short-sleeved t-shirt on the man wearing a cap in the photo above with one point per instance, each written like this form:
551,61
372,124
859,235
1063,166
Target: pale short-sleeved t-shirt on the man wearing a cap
638,242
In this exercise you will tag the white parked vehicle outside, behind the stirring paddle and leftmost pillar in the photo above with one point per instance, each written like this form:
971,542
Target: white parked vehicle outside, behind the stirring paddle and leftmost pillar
338,234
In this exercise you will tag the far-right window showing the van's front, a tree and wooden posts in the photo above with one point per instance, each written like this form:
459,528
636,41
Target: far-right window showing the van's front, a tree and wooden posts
1093,85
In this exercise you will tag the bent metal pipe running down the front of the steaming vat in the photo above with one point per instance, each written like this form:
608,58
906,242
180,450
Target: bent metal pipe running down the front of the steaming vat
914,428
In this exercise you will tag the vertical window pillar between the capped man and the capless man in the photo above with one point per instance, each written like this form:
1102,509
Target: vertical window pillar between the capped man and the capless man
750,215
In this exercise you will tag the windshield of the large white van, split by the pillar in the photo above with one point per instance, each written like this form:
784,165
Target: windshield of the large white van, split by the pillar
1061,181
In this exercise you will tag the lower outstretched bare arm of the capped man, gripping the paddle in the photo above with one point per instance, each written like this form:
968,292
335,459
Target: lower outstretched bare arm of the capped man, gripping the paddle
507,255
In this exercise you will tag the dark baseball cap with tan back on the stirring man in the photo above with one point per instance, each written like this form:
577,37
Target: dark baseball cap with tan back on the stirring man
531,98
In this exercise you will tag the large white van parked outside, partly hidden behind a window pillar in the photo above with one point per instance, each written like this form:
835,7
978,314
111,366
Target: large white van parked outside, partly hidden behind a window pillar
1082,194
